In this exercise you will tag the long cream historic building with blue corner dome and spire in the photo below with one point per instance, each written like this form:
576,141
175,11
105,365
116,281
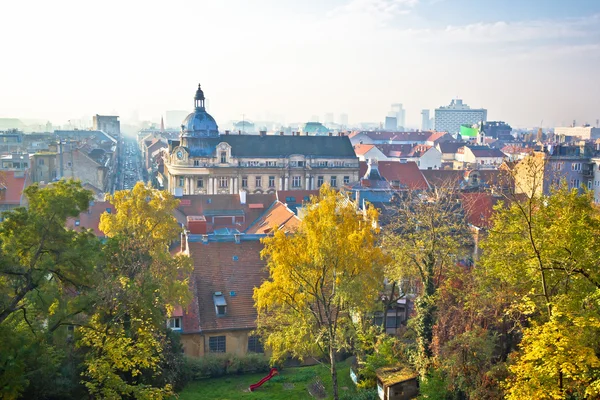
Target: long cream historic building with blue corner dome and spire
204,162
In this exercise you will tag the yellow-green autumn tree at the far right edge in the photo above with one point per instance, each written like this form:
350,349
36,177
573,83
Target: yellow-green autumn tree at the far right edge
544,250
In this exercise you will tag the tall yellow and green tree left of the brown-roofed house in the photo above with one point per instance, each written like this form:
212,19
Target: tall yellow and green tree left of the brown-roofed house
140,283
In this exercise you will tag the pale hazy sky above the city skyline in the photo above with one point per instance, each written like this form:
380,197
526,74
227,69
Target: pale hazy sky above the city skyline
526,61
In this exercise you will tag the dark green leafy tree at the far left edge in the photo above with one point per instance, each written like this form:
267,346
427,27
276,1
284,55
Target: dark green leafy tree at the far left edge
46,273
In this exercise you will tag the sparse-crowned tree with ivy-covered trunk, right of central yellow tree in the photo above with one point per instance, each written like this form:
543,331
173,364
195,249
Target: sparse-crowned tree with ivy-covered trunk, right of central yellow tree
426,237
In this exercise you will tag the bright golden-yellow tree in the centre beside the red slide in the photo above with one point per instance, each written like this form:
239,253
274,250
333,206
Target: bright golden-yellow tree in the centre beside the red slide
329,270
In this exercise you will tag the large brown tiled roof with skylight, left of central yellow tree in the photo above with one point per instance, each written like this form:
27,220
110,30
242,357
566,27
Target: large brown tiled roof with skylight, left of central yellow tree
234,269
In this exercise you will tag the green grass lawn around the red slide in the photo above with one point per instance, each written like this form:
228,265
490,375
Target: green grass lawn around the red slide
292,383
